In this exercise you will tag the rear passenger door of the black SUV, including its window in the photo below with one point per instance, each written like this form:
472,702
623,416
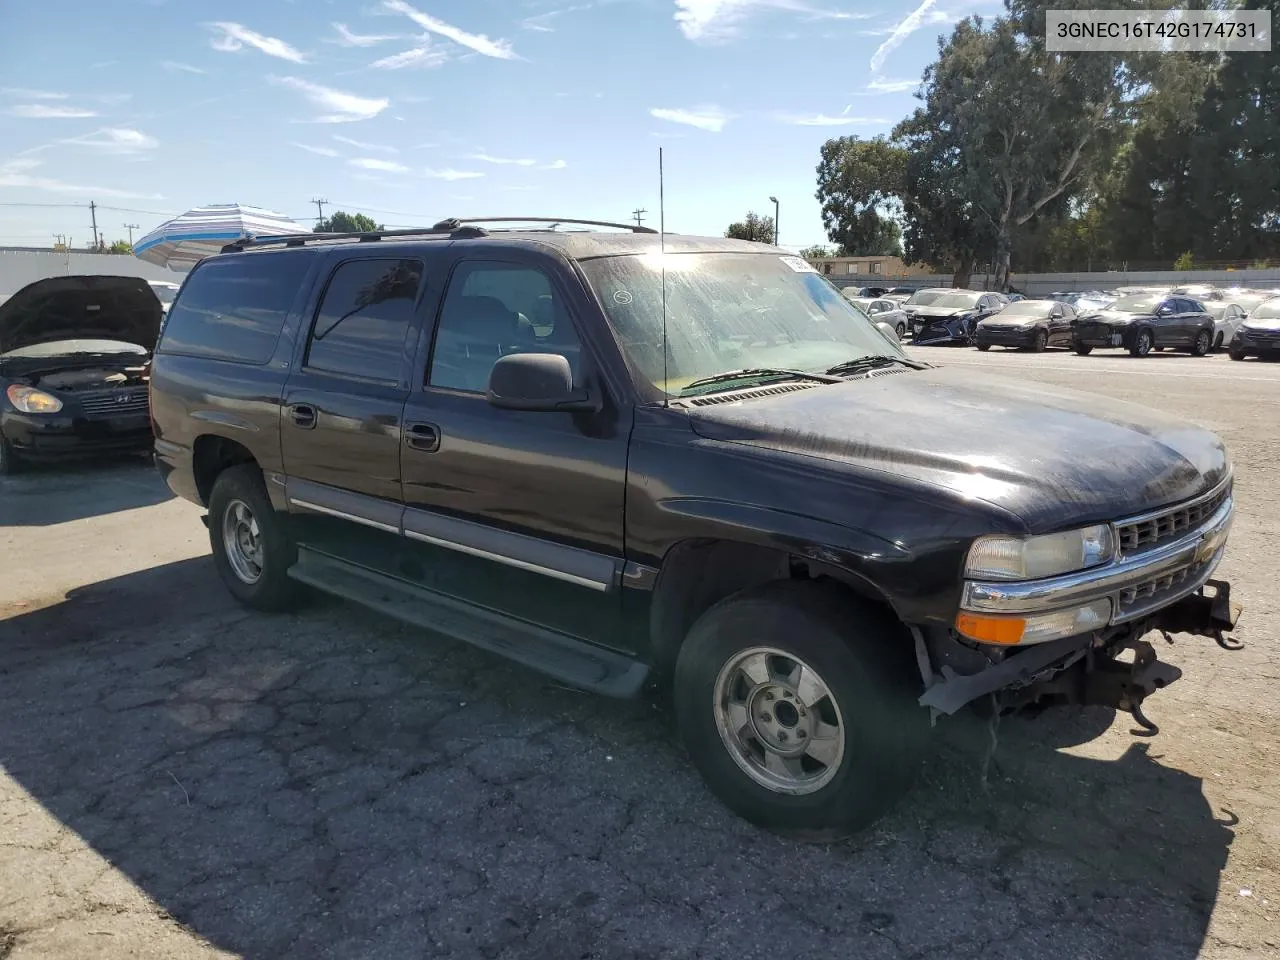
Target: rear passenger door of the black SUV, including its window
344,406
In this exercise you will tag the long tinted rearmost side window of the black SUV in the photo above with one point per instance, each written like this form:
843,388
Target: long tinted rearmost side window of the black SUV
235,308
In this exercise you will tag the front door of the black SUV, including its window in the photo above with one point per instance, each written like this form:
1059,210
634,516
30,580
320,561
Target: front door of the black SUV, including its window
516,511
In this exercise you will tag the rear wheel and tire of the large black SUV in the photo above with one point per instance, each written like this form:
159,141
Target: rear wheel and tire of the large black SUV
239,502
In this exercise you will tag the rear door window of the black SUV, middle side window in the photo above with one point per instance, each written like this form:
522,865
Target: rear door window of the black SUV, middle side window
367,312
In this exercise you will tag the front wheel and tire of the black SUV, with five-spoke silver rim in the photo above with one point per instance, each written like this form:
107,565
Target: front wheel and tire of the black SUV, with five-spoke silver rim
871,684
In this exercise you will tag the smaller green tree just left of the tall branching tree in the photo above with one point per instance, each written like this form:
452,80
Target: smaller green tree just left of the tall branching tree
861,186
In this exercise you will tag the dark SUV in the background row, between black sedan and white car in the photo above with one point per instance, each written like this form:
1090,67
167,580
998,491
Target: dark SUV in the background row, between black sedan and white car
1142,323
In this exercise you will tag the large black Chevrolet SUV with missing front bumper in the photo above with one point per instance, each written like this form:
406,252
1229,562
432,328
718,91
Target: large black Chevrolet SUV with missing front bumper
629,460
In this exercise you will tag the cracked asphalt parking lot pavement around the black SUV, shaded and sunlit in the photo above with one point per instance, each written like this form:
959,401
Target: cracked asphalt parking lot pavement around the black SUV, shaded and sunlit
182,779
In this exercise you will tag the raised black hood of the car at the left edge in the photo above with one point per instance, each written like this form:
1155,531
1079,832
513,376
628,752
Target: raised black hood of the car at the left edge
81,308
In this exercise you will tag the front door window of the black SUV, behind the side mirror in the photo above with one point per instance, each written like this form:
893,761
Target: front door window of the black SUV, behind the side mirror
493,310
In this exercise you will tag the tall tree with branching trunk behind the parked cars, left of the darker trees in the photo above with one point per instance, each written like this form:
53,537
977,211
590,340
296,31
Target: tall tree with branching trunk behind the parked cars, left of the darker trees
1012,127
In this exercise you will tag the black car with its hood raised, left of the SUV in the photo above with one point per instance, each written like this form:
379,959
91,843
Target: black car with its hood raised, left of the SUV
75,358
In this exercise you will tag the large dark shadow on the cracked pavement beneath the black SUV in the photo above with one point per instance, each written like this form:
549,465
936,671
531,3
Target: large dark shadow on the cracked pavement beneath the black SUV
331,785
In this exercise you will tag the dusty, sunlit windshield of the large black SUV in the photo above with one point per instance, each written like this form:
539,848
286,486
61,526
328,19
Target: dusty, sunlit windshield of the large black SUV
729,312
